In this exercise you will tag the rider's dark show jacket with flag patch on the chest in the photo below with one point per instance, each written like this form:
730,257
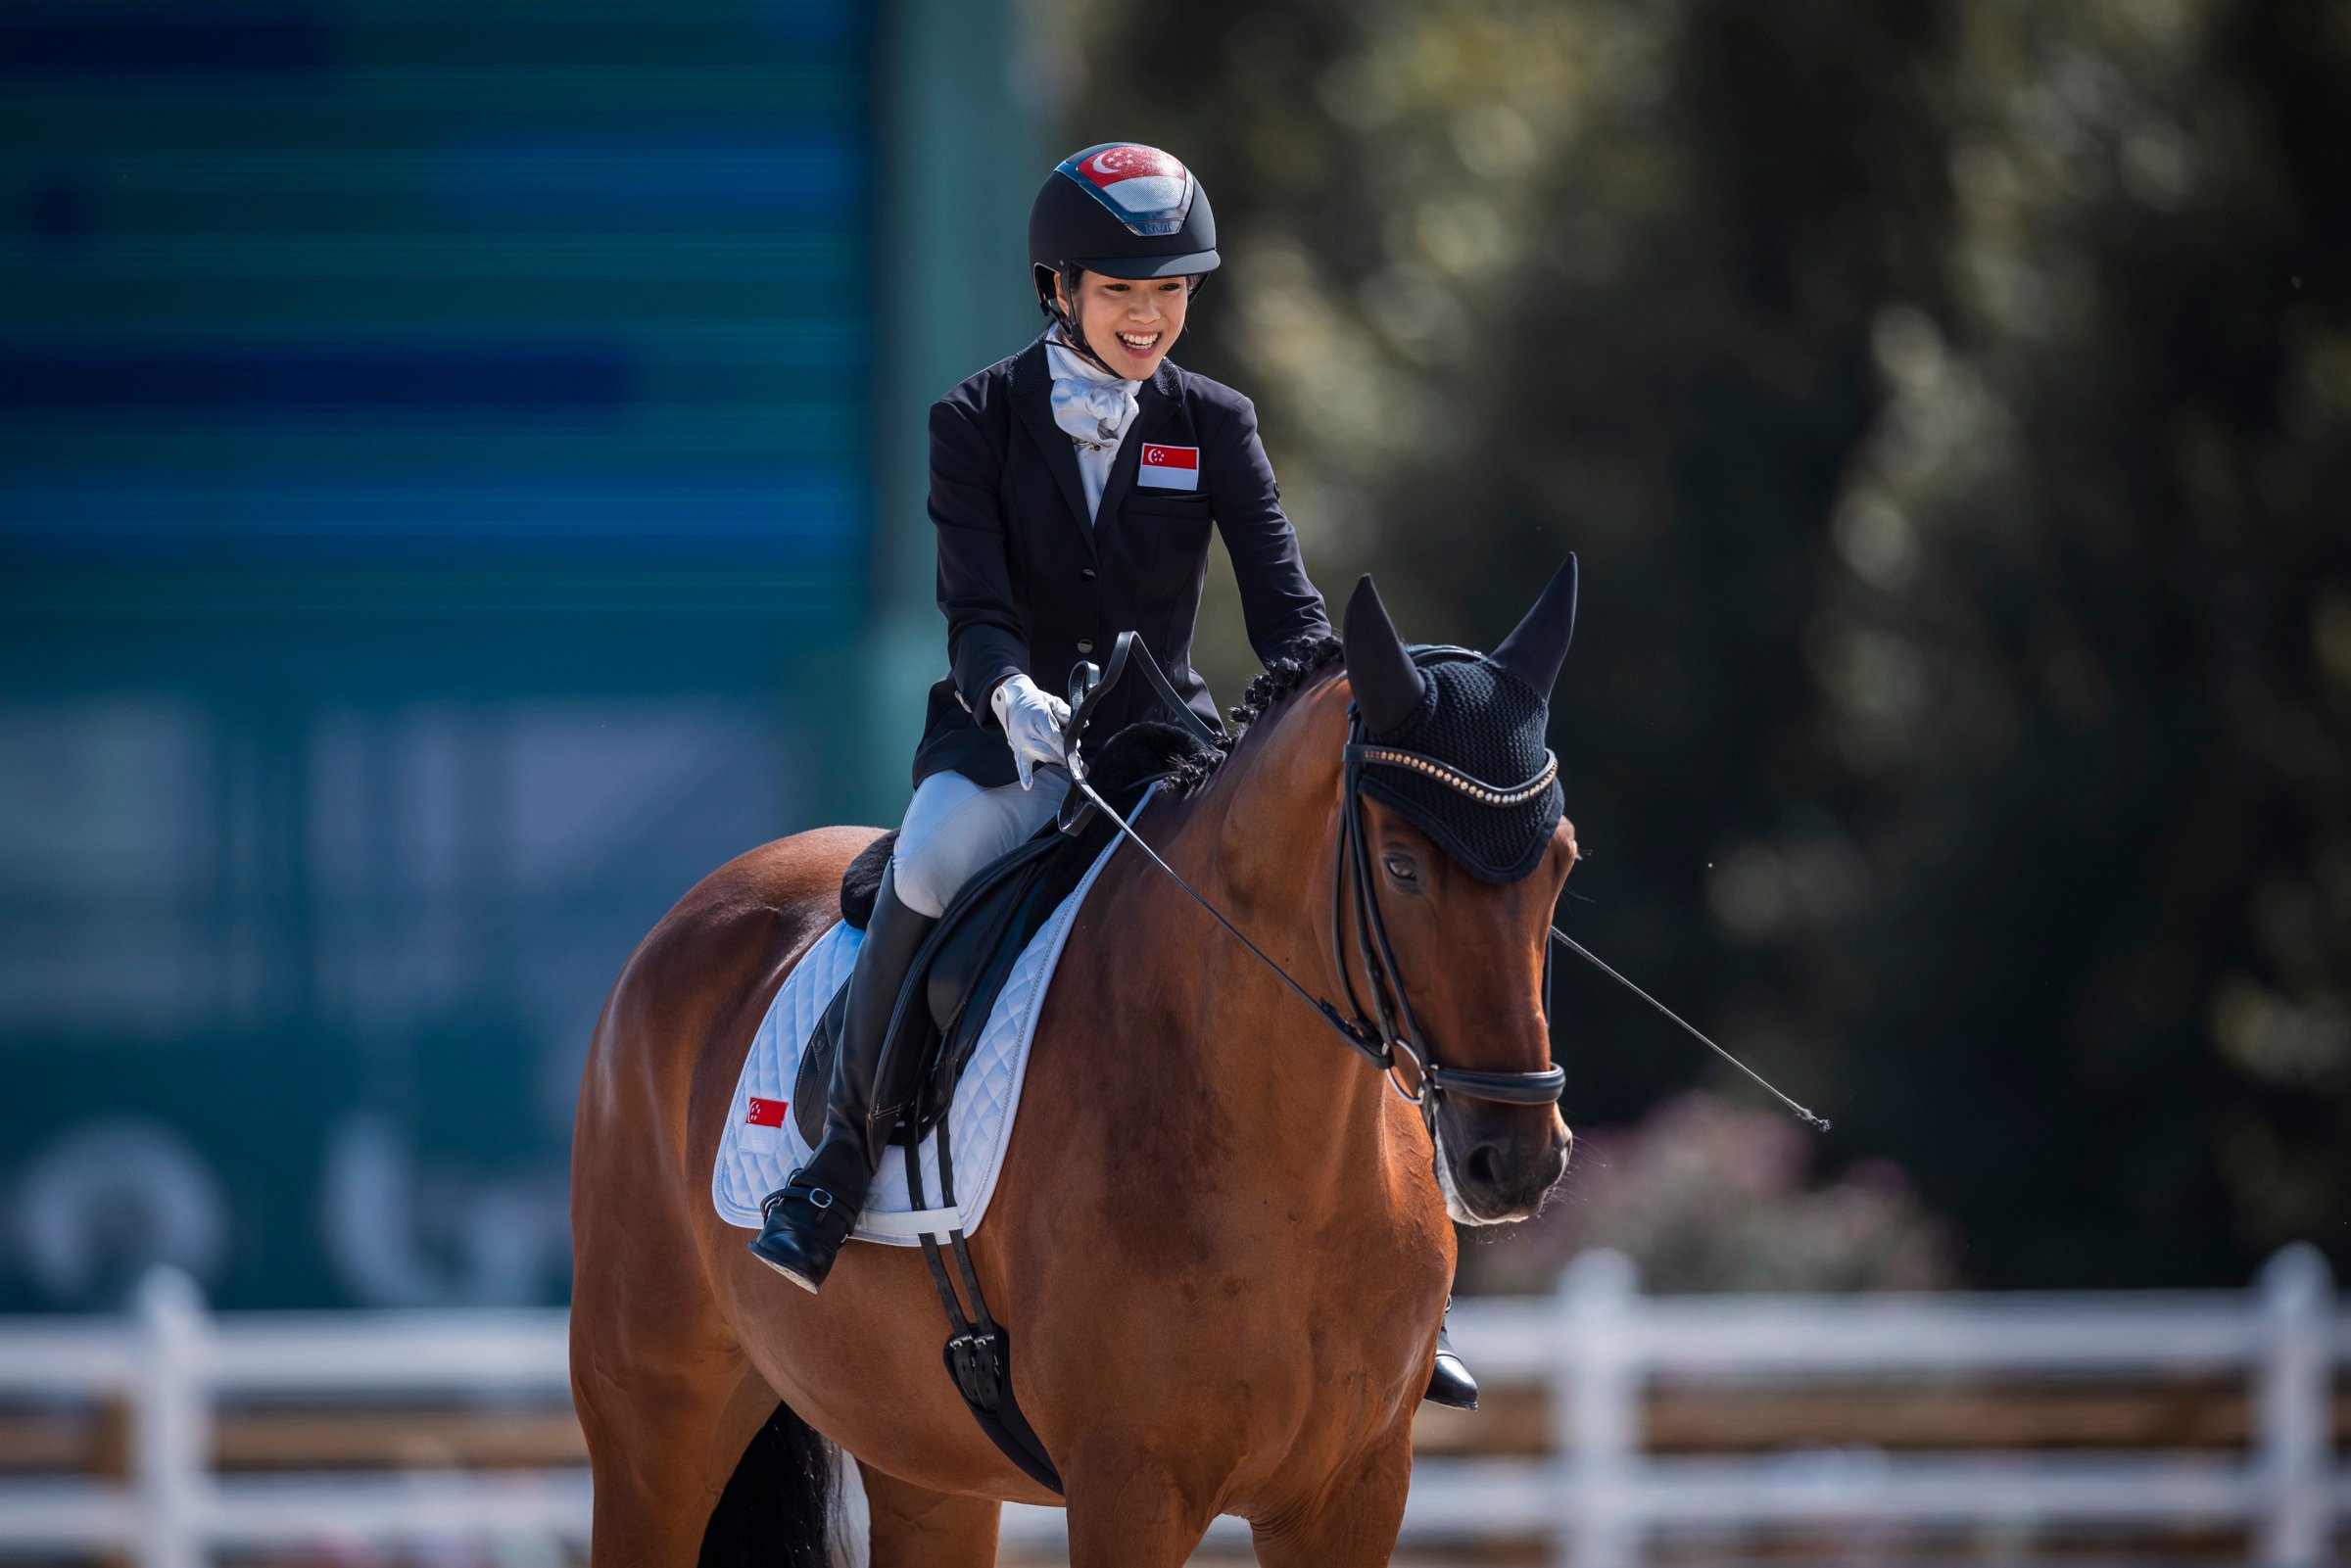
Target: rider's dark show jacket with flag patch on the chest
1031,589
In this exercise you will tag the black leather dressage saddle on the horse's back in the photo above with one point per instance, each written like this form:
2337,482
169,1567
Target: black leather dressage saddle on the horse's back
963,967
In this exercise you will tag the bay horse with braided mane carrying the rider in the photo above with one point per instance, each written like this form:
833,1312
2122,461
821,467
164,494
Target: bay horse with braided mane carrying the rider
1219,1242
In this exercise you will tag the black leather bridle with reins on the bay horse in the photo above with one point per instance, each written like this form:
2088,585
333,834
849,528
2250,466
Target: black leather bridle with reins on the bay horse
1391,1031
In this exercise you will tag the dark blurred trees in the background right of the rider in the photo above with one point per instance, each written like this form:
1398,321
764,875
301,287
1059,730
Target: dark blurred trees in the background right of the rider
1953,408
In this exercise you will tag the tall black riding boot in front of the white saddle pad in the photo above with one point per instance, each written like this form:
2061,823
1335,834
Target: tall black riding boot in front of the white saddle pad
812,1214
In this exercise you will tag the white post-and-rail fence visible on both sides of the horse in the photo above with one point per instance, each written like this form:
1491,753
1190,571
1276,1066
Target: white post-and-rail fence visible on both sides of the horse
1598,1496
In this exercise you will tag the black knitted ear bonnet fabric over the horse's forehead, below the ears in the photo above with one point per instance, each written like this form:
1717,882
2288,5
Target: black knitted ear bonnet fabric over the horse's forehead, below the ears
1492,800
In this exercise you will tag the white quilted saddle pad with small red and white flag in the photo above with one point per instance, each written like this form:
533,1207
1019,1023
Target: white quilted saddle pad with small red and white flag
763,1146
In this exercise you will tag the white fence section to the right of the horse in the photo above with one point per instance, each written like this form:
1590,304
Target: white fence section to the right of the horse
1598,1343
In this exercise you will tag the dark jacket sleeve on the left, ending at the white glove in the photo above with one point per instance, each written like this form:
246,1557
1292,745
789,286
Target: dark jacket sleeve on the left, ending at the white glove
986,641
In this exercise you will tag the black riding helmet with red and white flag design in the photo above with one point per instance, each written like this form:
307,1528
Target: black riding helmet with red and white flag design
1120,210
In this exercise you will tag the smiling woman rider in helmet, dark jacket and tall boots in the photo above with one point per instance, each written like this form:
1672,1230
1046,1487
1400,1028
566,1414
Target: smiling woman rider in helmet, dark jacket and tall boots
1057,535
